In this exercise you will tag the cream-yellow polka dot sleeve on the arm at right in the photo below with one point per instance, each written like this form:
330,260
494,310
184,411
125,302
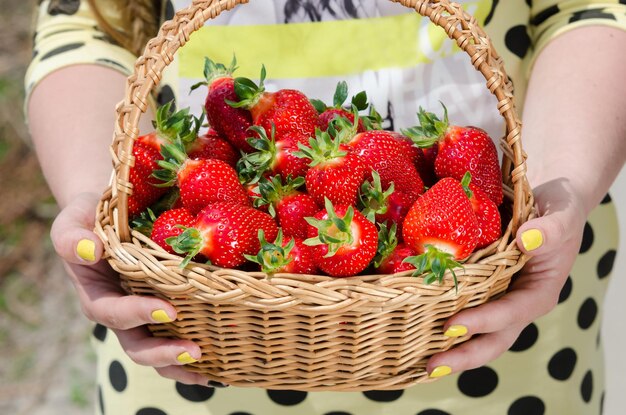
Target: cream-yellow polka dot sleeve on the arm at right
551,18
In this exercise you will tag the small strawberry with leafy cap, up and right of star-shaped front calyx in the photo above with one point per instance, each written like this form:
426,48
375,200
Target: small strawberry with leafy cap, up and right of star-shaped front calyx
383,206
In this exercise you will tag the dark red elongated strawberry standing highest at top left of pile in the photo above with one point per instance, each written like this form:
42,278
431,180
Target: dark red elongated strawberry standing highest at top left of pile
230,123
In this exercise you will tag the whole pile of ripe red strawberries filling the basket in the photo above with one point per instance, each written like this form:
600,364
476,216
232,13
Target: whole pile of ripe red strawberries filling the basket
283,183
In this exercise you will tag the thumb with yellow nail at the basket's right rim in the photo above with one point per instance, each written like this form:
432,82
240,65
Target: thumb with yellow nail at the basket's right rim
548,233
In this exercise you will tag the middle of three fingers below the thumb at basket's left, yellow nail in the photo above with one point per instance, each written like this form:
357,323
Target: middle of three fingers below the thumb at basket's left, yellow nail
157,352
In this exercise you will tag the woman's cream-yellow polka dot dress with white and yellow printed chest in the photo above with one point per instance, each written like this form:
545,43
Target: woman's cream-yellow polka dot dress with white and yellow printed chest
556,365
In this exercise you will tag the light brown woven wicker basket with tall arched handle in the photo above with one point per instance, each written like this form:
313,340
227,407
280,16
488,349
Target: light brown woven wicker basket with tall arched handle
307,332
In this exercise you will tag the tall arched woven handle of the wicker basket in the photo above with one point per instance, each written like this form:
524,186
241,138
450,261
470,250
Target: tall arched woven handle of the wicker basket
159,53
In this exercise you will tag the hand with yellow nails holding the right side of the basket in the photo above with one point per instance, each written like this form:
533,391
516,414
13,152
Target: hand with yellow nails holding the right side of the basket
553,240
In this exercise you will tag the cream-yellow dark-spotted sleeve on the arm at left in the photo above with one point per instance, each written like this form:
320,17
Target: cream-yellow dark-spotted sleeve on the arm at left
67,33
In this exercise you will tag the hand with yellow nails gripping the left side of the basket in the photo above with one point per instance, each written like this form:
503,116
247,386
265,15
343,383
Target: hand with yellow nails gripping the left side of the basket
103,301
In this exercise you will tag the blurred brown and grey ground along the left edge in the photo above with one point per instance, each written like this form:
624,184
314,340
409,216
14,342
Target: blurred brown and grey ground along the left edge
47,365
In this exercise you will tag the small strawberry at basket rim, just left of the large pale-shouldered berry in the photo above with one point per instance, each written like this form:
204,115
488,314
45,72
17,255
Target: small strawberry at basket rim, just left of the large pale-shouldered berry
391,253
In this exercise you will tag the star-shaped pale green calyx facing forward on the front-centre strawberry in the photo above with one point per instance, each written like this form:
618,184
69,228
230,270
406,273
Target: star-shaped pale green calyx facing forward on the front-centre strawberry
334,232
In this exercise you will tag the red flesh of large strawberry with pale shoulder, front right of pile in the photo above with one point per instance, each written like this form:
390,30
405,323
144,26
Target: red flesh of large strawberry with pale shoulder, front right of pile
442,217
